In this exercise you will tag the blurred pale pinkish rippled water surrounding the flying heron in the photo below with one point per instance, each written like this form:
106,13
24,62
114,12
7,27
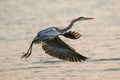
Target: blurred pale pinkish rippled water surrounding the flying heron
21,20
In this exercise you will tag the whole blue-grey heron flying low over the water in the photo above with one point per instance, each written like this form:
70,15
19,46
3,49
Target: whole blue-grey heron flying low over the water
54,46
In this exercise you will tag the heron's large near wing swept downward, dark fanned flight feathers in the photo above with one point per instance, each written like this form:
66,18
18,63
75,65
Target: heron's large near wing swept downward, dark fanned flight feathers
59,49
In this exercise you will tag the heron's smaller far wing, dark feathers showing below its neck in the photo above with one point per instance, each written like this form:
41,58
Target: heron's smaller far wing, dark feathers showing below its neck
72,35
